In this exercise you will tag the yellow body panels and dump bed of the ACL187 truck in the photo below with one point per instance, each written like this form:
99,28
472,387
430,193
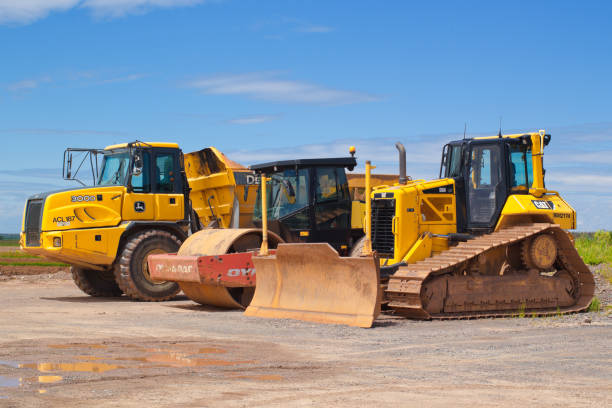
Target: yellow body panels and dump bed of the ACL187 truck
85,226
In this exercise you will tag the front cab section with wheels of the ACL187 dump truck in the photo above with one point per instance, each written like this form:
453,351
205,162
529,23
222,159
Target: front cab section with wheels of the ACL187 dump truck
137,204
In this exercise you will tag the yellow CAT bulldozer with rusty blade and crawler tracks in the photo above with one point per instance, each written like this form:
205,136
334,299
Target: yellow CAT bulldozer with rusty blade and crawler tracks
485,239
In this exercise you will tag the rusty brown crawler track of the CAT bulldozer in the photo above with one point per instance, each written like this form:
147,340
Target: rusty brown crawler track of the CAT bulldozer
450,285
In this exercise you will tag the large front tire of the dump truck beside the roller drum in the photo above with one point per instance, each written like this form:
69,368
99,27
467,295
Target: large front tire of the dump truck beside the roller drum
132,271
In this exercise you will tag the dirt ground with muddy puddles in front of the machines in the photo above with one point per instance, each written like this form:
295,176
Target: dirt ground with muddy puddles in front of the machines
61,348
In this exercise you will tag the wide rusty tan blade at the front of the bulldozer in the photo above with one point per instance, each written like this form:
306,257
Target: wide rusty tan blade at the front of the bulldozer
311,282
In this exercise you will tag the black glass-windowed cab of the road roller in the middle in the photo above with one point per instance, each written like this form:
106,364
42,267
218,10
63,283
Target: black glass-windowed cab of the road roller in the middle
308,200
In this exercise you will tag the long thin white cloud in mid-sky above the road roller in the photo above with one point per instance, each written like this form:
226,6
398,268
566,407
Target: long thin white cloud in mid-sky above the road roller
267,86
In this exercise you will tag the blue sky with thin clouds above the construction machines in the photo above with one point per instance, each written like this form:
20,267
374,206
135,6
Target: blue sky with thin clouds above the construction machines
277,79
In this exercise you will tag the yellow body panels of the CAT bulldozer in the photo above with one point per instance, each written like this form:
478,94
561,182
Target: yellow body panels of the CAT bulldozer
428,209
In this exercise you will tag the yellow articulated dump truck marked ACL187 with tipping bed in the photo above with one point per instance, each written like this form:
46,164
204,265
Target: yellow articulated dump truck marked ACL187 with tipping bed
145,200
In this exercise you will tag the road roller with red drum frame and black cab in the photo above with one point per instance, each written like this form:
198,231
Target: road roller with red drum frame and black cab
304,200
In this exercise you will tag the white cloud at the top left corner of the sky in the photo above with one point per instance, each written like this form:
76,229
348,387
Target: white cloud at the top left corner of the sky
27,11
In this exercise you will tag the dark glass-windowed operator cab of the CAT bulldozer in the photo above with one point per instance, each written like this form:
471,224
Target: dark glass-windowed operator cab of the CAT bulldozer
486,172
